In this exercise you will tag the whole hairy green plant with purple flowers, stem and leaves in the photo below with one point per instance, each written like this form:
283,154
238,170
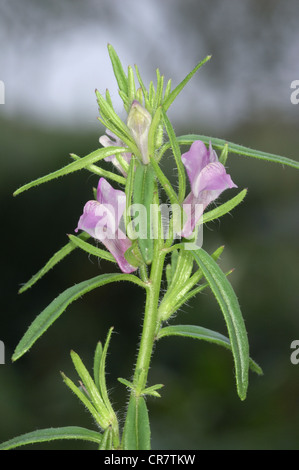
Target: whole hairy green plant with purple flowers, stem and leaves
152,245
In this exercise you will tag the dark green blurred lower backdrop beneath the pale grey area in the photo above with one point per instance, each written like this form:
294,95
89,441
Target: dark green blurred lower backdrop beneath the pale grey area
199,408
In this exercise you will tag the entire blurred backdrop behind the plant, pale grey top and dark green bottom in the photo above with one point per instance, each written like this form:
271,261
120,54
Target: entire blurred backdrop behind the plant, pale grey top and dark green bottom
53,56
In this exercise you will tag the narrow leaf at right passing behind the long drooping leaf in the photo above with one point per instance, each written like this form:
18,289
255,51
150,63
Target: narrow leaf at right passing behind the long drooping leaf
198,332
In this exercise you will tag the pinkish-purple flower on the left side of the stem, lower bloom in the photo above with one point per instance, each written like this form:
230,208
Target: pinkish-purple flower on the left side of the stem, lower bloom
101,219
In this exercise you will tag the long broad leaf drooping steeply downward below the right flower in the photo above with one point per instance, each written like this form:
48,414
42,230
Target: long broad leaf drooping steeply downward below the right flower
230,308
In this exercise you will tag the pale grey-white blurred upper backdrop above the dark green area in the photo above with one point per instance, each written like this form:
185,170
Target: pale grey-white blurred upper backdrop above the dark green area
54,55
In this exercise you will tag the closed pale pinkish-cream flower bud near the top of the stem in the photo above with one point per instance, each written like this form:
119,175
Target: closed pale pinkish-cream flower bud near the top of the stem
139,121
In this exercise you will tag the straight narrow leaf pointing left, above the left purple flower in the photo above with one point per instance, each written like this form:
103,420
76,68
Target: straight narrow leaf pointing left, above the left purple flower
80,164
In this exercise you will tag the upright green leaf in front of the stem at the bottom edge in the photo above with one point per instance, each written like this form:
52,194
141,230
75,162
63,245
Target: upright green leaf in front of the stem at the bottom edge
136,435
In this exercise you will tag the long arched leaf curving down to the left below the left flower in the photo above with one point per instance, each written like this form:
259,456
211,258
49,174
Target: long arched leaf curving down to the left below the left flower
58,306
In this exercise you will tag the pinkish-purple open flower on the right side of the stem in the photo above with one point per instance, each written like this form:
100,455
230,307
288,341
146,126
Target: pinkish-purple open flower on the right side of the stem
208,179
